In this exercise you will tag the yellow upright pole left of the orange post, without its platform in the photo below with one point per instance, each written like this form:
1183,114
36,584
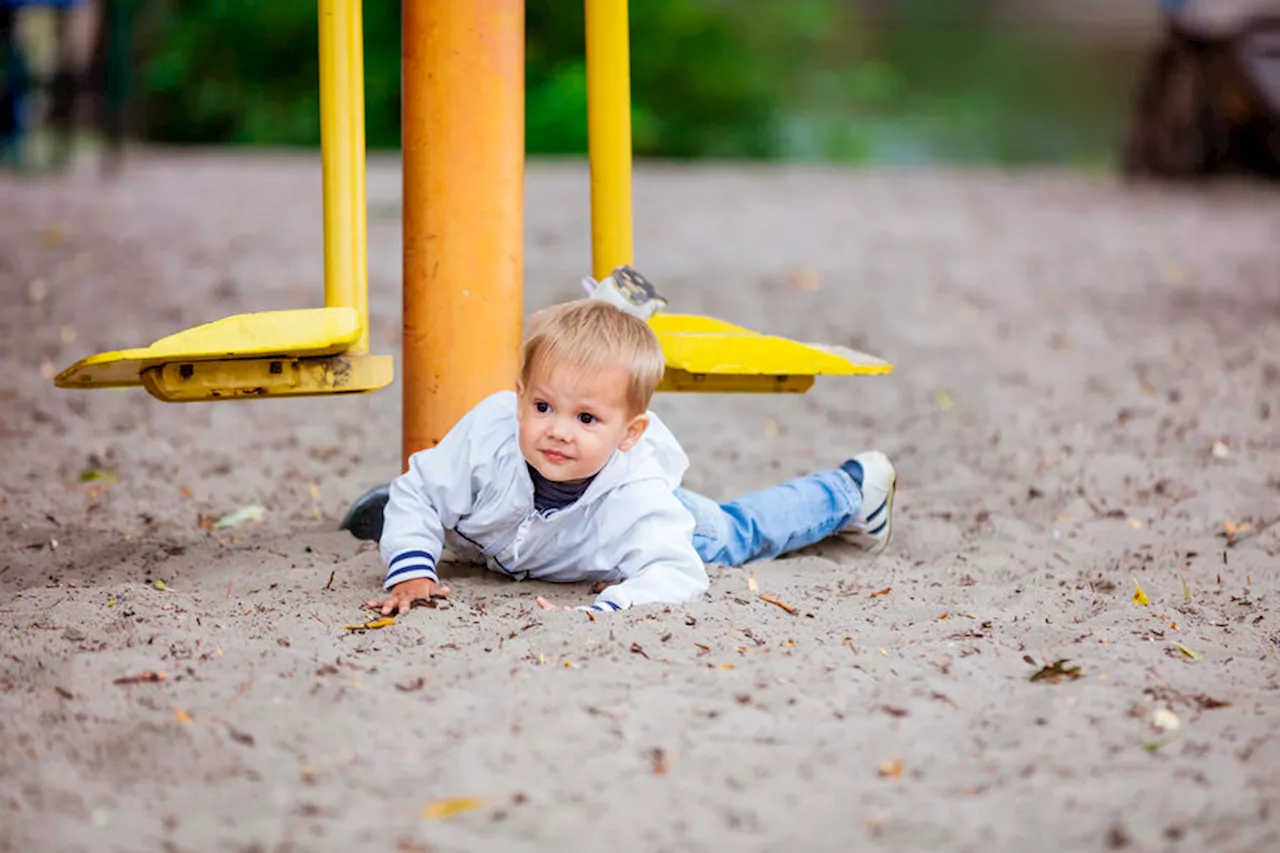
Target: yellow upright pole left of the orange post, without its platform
342,161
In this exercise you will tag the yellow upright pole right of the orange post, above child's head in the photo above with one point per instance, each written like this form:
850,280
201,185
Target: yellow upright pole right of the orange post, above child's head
609,120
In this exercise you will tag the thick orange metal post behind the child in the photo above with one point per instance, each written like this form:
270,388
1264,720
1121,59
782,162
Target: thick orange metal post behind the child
464,150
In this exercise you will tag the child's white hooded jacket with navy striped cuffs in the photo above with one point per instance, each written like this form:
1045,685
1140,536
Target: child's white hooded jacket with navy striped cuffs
473,494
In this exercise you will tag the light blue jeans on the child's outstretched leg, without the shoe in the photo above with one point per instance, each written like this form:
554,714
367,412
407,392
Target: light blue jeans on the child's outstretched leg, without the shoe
772,522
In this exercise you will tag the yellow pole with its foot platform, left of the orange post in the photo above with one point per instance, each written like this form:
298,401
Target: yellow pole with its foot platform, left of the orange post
298,353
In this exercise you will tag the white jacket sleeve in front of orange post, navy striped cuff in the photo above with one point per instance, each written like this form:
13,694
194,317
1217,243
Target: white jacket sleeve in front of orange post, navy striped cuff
429,499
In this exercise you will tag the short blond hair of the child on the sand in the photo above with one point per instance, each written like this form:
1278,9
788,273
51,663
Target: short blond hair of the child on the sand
591,335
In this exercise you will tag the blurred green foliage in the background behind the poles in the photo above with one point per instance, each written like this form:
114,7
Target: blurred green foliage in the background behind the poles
711,79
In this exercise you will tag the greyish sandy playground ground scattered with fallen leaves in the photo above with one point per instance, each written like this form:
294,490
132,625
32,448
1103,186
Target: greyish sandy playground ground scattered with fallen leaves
1087,395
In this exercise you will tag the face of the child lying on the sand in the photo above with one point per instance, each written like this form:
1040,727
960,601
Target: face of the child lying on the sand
572,423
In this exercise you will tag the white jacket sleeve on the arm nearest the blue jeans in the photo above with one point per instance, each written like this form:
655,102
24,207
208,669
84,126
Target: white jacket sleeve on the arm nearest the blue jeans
655,554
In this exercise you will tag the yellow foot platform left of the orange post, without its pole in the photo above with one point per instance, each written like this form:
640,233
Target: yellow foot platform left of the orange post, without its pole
246,355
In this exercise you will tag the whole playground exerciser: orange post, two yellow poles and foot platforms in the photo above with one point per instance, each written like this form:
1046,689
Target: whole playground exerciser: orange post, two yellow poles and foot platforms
463,198
